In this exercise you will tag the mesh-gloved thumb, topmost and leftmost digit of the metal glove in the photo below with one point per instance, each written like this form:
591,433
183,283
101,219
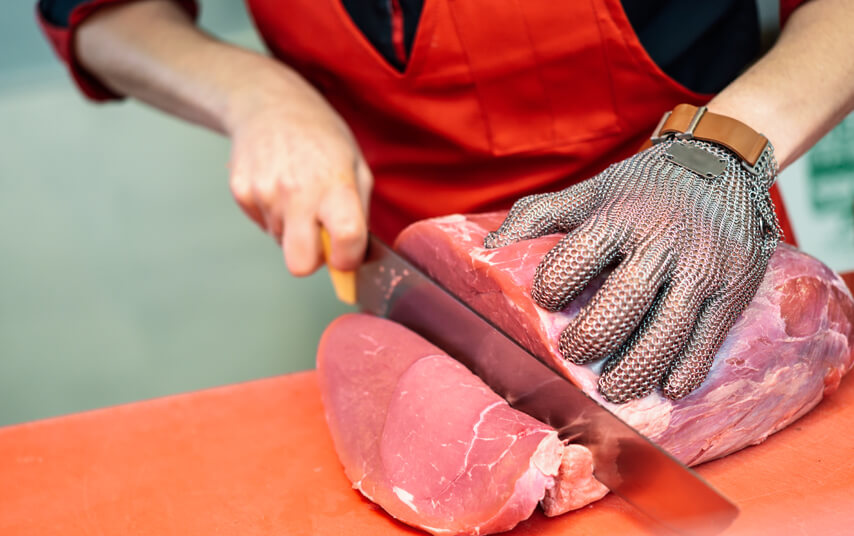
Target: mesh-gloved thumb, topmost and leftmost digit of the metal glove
537,215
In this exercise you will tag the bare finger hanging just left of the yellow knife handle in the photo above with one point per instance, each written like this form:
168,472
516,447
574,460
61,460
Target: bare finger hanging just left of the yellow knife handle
301,240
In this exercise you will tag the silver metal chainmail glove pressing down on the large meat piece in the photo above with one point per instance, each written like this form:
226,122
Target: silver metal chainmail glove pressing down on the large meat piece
690,252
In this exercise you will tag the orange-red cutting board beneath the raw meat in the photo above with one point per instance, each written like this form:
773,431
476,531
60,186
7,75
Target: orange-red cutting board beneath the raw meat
255,458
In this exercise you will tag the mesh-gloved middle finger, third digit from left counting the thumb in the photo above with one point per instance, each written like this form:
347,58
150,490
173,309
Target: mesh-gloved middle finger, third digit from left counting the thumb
618,306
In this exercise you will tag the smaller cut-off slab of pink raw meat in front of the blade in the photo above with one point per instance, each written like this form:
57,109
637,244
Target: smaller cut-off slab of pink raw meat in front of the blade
430,443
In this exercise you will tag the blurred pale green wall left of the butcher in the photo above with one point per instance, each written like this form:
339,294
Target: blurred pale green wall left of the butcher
126,270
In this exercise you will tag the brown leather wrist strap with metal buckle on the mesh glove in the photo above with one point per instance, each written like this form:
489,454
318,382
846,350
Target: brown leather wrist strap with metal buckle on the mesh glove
687,121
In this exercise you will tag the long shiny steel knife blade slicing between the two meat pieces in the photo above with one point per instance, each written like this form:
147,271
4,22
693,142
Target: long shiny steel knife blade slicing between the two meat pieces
625,461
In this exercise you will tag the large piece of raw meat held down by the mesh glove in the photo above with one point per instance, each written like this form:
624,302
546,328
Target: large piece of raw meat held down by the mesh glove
790,347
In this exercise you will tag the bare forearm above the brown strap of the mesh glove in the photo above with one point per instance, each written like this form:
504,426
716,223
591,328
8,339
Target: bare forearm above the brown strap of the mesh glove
803,86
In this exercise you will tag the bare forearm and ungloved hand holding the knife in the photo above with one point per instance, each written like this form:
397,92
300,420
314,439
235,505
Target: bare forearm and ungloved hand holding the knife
294,165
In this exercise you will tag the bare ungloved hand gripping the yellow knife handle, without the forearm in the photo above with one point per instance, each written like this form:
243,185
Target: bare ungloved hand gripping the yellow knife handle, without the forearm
295,167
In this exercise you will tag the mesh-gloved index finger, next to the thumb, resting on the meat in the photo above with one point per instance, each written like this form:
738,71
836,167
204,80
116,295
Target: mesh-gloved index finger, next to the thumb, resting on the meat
573,262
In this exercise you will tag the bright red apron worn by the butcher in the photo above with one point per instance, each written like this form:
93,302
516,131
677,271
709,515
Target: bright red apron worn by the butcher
495,103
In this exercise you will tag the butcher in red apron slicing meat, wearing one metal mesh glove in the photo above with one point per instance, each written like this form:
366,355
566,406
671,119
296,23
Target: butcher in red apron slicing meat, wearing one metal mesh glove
651,132
